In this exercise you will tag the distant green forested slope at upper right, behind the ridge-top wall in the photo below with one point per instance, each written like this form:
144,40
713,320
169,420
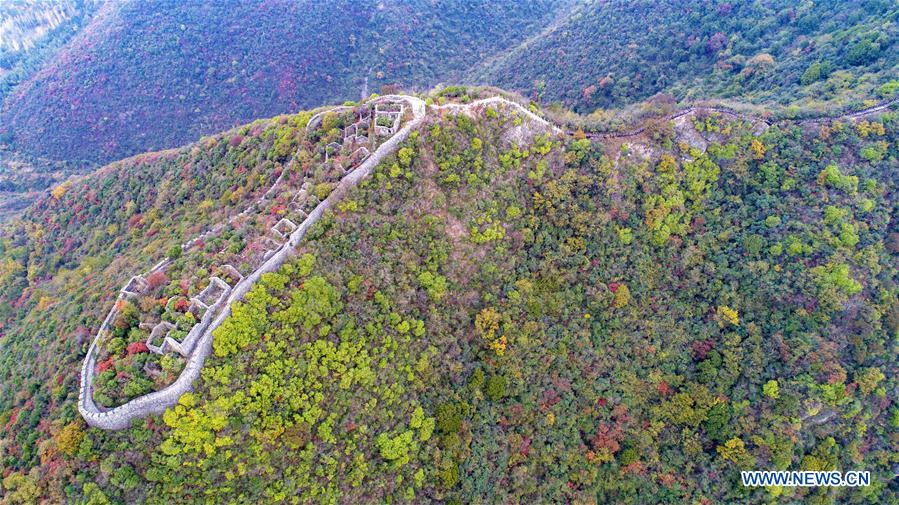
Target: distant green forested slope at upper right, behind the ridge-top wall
608,54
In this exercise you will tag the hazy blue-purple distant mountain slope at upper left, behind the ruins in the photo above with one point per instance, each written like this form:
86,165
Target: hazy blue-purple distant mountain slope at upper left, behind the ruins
149,75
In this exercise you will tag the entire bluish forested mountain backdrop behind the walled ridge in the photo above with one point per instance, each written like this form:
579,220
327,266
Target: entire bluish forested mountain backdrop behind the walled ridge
145,75
